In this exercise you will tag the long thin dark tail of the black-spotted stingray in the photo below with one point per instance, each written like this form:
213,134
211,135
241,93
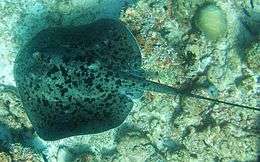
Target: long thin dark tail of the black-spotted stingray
162,88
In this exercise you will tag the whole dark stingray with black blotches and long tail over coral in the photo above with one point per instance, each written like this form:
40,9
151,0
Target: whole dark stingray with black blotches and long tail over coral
81,80
